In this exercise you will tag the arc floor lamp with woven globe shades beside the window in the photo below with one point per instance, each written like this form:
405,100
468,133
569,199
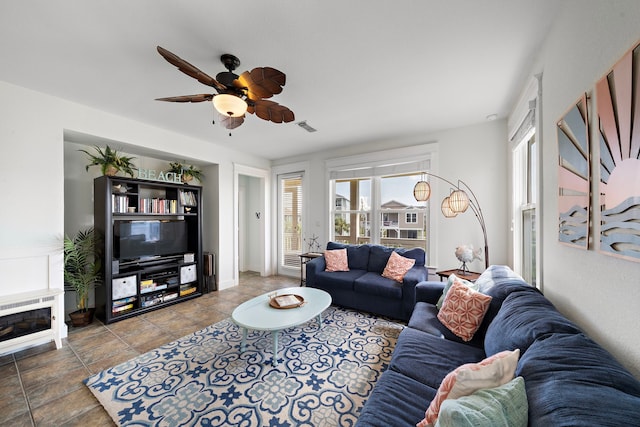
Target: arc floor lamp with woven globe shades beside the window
458,201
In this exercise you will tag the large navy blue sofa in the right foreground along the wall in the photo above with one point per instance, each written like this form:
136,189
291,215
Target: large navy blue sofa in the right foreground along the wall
569,379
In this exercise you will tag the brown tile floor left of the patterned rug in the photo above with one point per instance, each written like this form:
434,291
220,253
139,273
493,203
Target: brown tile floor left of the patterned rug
42,386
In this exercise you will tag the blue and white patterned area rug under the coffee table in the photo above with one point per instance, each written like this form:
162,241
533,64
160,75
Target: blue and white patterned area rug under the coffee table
323,377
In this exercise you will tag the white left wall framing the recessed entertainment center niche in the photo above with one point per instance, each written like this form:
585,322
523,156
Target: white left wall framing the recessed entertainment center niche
32,134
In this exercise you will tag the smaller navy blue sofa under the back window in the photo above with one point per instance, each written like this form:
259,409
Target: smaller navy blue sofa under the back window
363,287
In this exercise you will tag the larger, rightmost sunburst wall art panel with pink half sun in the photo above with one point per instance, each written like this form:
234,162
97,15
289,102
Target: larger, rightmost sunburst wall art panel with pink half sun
618,104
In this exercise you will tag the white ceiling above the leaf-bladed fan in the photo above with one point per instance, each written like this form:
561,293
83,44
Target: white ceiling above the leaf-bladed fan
357,70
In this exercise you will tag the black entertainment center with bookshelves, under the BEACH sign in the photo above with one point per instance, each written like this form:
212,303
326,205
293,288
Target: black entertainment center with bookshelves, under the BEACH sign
151,245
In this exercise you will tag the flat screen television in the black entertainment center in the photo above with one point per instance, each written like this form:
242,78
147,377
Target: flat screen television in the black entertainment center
140,240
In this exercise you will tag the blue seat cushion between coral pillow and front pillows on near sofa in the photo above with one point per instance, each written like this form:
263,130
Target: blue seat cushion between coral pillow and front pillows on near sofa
428,358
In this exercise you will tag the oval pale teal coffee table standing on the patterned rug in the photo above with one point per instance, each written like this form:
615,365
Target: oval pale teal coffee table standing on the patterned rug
258,314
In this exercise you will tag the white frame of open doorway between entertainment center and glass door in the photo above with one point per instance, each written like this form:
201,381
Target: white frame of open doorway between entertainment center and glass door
265,234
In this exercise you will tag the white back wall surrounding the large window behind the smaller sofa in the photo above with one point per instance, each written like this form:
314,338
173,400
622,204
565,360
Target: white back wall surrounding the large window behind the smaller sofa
475,154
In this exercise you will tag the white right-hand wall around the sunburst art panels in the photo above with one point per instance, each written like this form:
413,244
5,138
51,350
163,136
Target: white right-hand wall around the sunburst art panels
599,292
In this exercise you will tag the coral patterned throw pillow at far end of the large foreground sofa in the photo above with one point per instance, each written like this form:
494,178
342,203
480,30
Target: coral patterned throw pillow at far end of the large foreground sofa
463,310
